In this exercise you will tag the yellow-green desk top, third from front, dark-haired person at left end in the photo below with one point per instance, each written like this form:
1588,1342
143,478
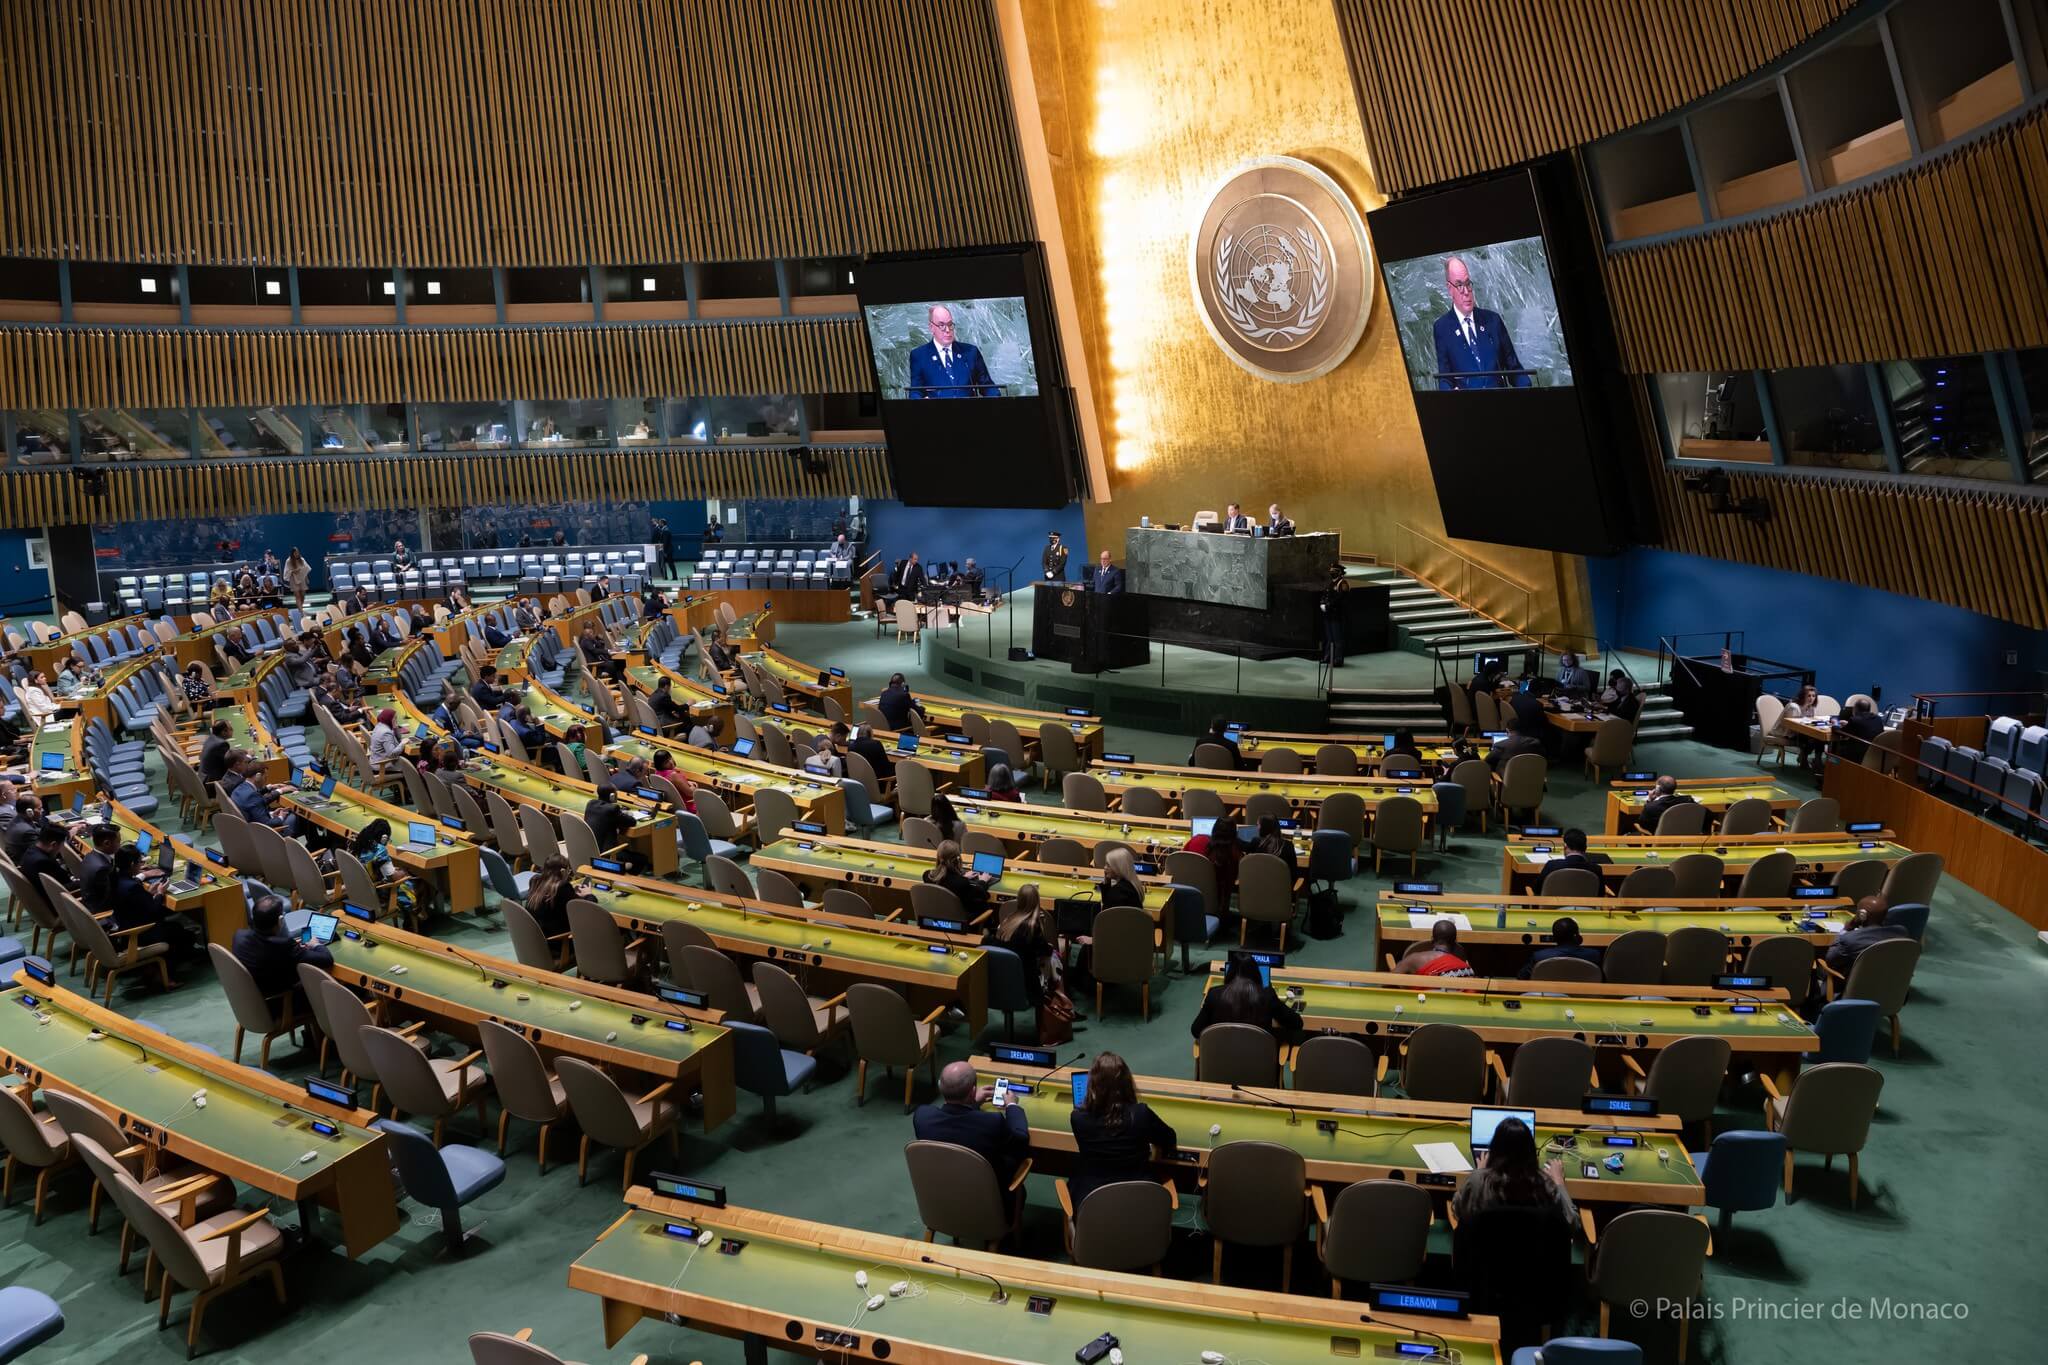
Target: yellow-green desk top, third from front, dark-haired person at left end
1517,1012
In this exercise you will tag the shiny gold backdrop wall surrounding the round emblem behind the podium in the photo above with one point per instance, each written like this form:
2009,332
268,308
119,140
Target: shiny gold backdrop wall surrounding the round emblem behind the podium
1148,105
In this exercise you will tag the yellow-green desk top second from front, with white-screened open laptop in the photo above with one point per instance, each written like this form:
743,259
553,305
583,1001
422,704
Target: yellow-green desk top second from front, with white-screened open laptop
1375,1139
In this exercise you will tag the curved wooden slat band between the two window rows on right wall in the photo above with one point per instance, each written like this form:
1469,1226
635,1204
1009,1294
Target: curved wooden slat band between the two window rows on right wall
1938,261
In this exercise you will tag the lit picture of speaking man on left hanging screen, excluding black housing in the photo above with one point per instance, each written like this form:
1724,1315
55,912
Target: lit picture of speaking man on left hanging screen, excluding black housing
953,349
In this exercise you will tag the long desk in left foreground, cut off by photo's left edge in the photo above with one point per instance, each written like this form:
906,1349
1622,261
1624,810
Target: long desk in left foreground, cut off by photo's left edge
253,1131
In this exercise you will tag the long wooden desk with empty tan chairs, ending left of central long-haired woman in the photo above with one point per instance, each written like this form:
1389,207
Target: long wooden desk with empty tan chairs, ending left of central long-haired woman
822,951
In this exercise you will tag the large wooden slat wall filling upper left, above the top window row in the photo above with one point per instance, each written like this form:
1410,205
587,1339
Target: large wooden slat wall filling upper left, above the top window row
503,132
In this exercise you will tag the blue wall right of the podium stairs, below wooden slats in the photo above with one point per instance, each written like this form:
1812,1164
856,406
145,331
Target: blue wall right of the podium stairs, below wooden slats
1850,635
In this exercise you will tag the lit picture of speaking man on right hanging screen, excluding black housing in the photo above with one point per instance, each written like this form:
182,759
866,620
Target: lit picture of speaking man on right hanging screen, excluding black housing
1480,318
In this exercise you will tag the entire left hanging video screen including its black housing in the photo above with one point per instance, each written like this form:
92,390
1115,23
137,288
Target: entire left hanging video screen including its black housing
968,363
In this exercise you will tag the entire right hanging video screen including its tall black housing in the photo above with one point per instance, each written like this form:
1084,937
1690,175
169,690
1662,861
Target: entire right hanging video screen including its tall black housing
1496,298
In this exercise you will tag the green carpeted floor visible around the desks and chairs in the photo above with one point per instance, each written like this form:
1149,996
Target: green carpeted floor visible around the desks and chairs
1947,1223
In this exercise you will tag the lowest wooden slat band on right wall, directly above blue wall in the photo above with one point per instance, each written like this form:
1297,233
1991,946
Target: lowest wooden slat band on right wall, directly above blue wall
1979,552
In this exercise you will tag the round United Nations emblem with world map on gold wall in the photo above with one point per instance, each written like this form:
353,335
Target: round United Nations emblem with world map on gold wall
1281,269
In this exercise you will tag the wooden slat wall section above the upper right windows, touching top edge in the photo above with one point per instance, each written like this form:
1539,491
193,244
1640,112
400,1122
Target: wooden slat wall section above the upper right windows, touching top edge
1457,87
